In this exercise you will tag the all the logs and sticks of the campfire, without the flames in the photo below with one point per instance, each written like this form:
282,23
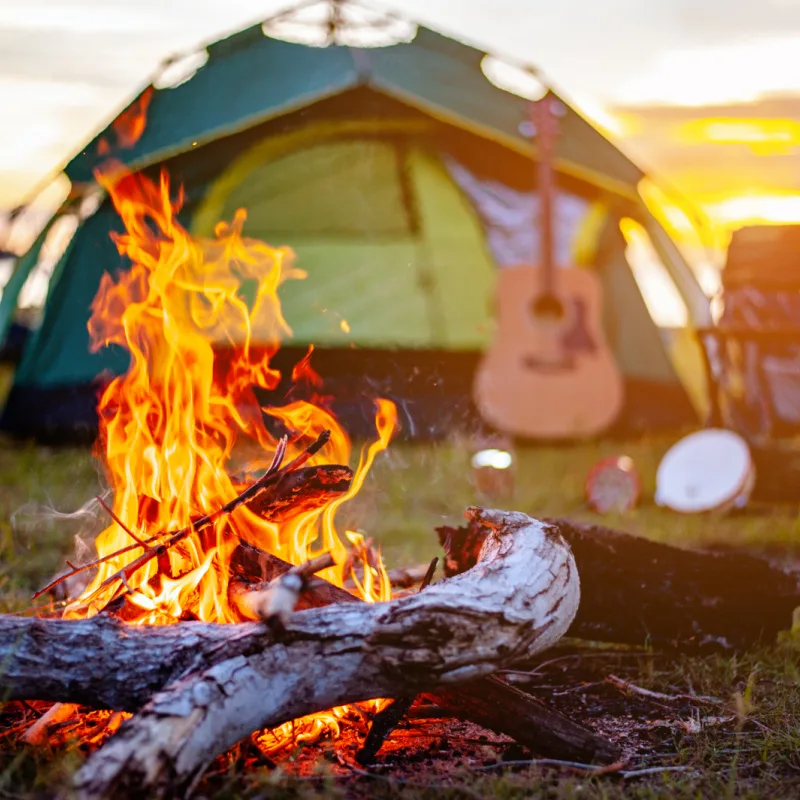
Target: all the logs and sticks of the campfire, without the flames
445,645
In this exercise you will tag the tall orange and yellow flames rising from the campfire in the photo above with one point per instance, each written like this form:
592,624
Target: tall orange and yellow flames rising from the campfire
175,424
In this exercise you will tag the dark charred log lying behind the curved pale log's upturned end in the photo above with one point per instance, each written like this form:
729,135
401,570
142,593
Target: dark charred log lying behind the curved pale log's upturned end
636,591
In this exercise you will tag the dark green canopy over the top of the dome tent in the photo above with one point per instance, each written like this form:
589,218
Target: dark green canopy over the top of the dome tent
250,78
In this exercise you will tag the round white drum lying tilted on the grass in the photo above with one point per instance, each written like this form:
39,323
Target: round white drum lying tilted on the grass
705,471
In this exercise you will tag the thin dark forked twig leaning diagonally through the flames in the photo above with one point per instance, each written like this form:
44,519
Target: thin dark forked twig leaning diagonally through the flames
273,474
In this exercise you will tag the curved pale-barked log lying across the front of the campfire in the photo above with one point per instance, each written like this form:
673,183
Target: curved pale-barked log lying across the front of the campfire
519,599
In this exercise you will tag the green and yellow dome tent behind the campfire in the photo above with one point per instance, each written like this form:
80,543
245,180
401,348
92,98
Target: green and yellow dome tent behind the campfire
404,179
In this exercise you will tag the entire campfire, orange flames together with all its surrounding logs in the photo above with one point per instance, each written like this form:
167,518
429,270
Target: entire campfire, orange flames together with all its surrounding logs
224,605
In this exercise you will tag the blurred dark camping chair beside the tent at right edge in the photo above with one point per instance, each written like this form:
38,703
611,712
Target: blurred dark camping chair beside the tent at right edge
752,354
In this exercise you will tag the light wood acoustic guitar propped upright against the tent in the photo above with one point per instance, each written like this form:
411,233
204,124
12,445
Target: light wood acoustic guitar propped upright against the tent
549,373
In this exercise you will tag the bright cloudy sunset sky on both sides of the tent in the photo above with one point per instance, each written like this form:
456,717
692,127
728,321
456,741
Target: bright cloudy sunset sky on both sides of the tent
66,66
